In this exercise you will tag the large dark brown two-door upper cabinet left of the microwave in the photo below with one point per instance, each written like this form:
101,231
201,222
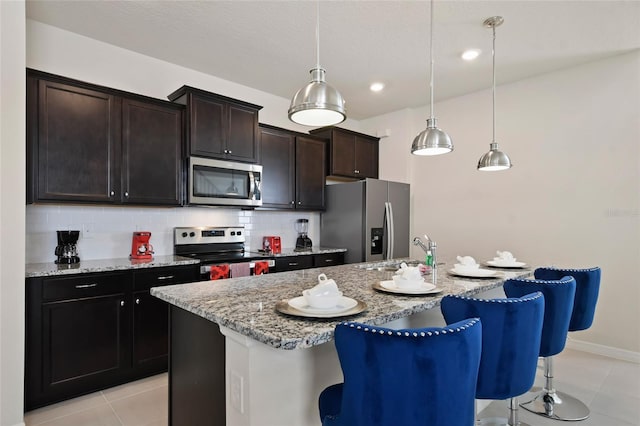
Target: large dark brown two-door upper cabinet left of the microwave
88,143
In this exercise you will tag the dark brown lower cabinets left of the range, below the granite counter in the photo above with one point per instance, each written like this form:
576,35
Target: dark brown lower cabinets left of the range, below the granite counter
88,332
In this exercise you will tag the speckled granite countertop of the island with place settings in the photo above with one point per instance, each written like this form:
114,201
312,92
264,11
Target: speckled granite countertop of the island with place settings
247,305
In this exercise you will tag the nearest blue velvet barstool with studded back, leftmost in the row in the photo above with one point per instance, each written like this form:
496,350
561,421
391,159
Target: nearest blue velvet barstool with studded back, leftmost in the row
412,377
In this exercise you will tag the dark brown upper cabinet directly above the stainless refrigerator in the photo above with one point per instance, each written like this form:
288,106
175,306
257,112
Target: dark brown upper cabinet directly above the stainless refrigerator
351,154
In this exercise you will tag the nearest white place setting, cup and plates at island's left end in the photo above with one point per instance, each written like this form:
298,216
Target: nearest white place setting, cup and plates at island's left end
324,300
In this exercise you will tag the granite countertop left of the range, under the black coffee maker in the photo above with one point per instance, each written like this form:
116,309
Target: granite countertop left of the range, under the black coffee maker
33,270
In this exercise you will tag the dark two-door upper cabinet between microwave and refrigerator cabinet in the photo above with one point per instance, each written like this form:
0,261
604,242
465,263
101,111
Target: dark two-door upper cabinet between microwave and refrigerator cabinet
294,169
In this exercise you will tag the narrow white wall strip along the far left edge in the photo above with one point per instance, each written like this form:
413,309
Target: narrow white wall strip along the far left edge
12,184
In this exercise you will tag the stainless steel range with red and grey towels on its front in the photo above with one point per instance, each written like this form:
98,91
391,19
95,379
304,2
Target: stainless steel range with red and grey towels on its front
218,246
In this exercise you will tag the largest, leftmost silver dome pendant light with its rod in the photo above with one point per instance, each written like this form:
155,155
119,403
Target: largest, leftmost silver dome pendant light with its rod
317,103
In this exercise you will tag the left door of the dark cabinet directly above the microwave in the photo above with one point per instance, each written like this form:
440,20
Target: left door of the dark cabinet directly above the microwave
206,126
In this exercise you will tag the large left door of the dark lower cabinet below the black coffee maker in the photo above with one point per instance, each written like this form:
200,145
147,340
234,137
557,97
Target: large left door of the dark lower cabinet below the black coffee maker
85,344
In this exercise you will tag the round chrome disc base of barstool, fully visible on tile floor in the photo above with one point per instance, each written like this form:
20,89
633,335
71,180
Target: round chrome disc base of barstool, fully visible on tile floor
558,406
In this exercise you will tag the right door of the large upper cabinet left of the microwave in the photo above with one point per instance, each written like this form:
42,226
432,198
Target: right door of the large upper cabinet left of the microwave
152,153
